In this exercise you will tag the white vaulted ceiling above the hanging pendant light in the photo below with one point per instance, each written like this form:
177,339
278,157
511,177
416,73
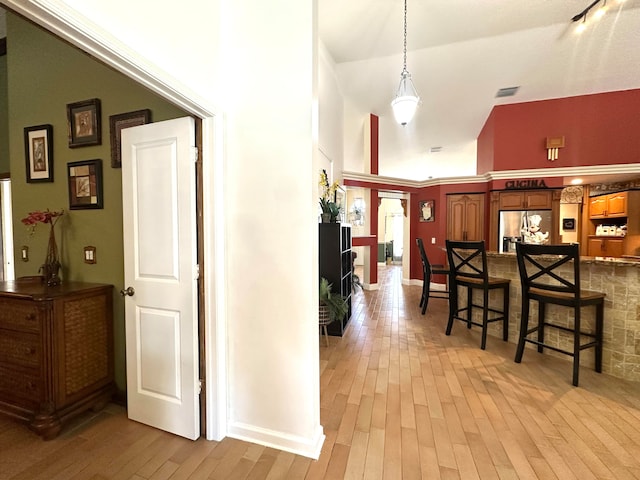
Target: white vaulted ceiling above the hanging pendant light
460,52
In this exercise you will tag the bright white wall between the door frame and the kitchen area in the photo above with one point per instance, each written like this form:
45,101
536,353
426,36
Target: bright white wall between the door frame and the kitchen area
261,77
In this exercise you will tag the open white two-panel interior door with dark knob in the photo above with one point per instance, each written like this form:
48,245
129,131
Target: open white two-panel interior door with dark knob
160,269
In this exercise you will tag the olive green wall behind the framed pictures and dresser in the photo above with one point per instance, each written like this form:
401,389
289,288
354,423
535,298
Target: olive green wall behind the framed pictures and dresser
44,75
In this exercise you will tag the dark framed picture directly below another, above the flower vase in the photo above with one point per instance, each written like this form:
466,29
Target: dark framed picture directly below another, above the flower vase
85,184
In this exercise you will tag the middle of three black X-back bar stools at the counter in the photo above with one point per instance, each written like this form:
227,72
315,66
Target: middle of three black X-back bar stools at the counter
468,265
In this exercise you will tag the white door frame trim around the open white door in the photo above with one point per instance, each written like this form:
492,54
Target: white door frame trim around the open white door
68,25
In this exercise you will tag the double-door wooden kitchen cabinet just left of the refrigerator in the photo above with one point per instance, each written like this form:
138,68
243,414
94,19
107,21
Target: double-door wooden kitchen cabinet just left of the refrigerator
465,216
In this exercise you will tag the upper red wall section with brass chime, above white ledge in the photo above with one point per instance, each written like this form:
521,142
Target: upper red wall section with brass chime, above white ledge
599,129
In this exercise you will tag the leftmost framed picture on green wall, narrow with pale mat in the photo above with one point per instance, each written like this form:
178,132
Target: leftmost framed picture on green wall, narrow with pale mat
38,149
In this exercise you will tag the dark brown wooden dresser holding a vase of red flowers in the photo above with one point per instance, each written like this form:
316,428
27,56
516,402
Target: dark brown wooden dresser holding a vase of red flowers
56,351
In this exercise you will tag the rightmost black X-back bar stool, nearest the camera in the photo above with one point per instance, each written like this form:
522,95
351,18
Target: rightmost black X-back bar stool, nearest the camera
547,275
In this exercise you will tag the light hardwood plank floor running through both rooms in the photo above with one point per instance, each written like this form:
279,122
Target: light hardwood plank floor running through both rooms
399,400
